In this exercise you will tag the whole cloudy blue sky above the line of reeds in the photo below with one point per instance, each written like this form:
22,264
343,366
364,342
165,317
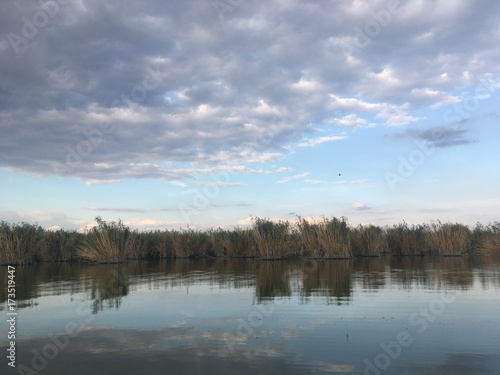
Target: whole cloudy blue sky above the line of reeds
168,114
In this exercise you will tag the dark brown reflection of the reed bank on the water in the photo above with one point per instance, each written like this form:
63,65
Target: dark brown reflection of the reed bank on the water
107,285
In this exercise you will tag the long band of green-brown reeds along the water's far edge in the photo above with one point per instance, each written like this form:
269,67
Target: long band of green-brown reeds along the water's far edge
329,238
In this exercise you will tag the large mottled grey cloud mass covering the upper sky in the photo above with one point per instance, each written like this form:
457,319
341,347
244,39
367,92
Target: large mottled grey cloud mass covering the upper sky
232,78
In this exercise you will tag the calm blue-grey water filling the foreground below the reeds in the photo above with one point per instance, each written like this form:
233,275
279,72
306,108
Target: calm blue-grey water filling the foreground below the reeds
368,316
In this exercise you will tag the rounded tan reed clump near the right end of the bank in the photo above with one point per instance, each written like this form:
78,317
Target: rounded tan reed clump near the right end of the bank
448,238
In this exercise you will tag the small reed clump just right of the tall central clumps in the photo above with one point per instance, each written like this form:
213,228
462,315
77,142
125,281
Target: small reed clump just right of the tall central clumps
368,241
